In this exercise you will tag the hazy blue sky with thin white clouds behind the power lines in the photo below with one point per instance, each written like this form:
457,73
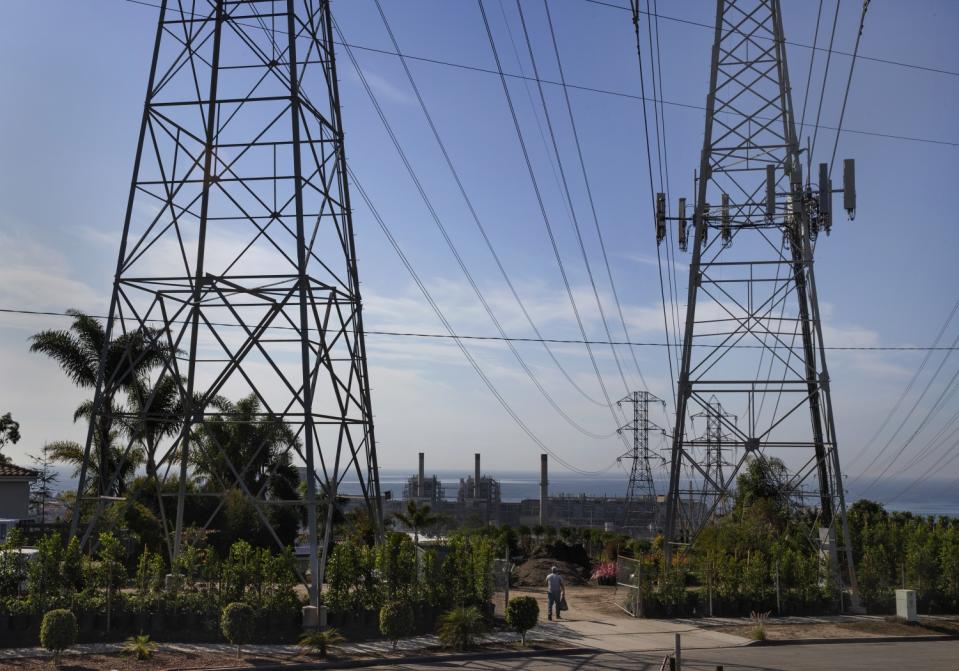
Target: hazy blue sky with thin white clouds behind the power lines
68,135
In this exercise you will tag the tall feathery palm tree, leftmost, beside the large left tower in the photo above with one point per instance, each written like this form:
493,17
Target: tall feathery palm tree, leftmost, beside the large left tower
126,359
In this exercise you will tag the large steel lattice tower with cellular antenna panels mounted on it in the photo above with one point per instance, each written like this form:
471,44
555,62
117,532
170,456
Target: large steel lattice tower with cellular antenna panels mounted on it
753,333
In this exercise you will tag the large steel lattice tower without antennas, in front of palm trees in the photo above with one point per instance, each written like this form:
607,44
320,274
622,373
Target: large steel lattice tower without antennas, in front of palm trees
237,267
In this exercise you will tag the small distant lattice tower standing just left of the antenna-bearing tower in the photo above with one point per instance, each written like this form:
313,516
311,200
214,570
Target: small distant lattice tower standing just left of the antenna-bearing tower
641,507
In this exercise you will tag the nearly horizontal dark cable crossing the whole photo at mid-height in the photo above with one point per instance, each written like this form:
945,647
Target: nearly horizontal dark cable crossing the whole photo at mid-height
557,341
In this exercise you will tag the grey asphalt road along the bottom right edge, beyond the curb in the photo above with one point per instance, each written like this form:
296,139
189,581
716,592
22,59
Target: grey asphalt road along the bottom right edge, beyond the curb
929,656
